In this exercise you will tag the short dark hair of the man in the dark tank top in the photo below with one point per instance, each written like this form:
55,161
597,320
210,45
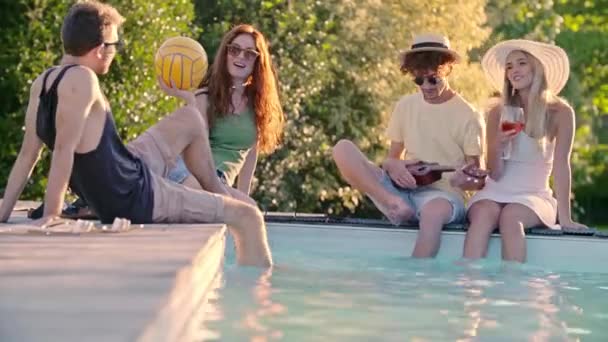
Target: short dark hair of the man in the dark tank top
85,24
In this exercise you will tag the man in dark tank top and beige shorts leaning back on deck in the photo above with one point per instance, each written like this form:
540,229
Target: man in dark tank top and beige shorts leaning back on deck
68,113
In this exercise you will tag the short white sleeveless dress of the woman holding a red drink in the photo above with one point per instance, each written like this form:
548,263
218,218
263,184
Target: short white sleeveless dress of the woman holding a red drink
525,179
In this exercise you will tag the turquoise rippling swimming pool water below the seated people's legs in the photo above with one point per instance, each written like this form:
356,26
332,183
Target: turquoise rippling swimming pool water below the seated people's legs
342,285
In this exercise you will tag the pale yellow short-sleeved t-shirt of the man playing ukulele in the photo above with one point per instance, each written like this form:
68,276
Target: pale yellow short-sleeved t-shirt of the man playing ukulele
443,133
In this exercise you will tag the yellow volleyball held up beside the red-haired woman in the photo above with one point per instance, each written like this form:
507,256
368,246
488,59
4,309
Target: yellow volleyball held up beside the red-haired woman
181,60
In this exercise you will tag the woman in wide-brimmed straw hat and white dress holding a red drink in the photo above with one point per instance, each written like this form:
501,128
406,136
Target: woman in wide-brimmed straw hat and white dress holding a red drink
530,75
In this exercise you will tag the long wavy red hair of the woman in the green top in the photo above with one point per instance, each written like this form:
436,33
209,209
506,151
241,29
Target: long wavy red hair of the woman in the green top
261,89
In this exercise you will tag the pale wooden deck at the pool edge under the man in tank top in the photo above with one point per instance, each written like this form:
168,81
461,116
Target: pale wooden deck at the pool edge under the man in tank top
145,284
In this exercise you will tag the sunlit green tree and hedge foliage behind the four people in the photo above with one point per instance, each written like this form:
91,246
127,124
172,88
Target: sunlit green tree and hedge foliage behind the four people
339,72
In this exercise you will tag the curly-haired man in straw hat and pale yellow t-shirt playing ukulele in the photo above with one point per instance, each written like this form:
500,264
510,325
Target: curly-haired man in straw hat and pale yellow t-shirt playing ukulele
434,125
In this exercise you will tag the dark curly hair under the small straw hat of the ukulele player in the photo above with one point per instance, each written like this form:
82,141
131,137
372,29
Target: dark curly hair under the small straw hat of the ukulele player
436,61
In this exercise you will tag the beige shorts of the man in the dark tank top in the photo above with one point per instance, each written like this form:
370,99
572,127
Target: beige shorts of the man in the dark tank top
173,203
